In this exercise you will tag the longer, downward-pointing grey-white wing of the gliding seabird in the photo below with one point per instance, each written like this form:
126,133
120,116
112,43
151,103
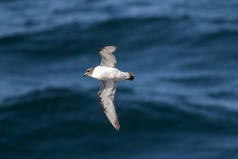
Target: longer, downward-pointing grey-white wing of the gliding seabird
106,97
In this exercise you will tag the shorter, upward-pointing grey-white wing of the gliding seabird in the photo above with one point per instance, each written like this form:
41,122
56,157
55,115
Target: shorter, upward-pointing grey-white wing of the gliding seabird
108,57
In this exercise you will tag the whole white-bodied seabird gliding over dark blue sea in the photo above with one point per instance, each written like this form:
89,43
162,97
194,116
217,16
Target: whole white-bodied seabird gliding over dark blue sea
109,75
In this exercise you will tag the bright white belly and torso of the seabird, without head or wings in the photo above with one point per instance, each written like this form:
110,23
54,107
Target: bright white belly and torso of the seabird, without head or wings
109,73
